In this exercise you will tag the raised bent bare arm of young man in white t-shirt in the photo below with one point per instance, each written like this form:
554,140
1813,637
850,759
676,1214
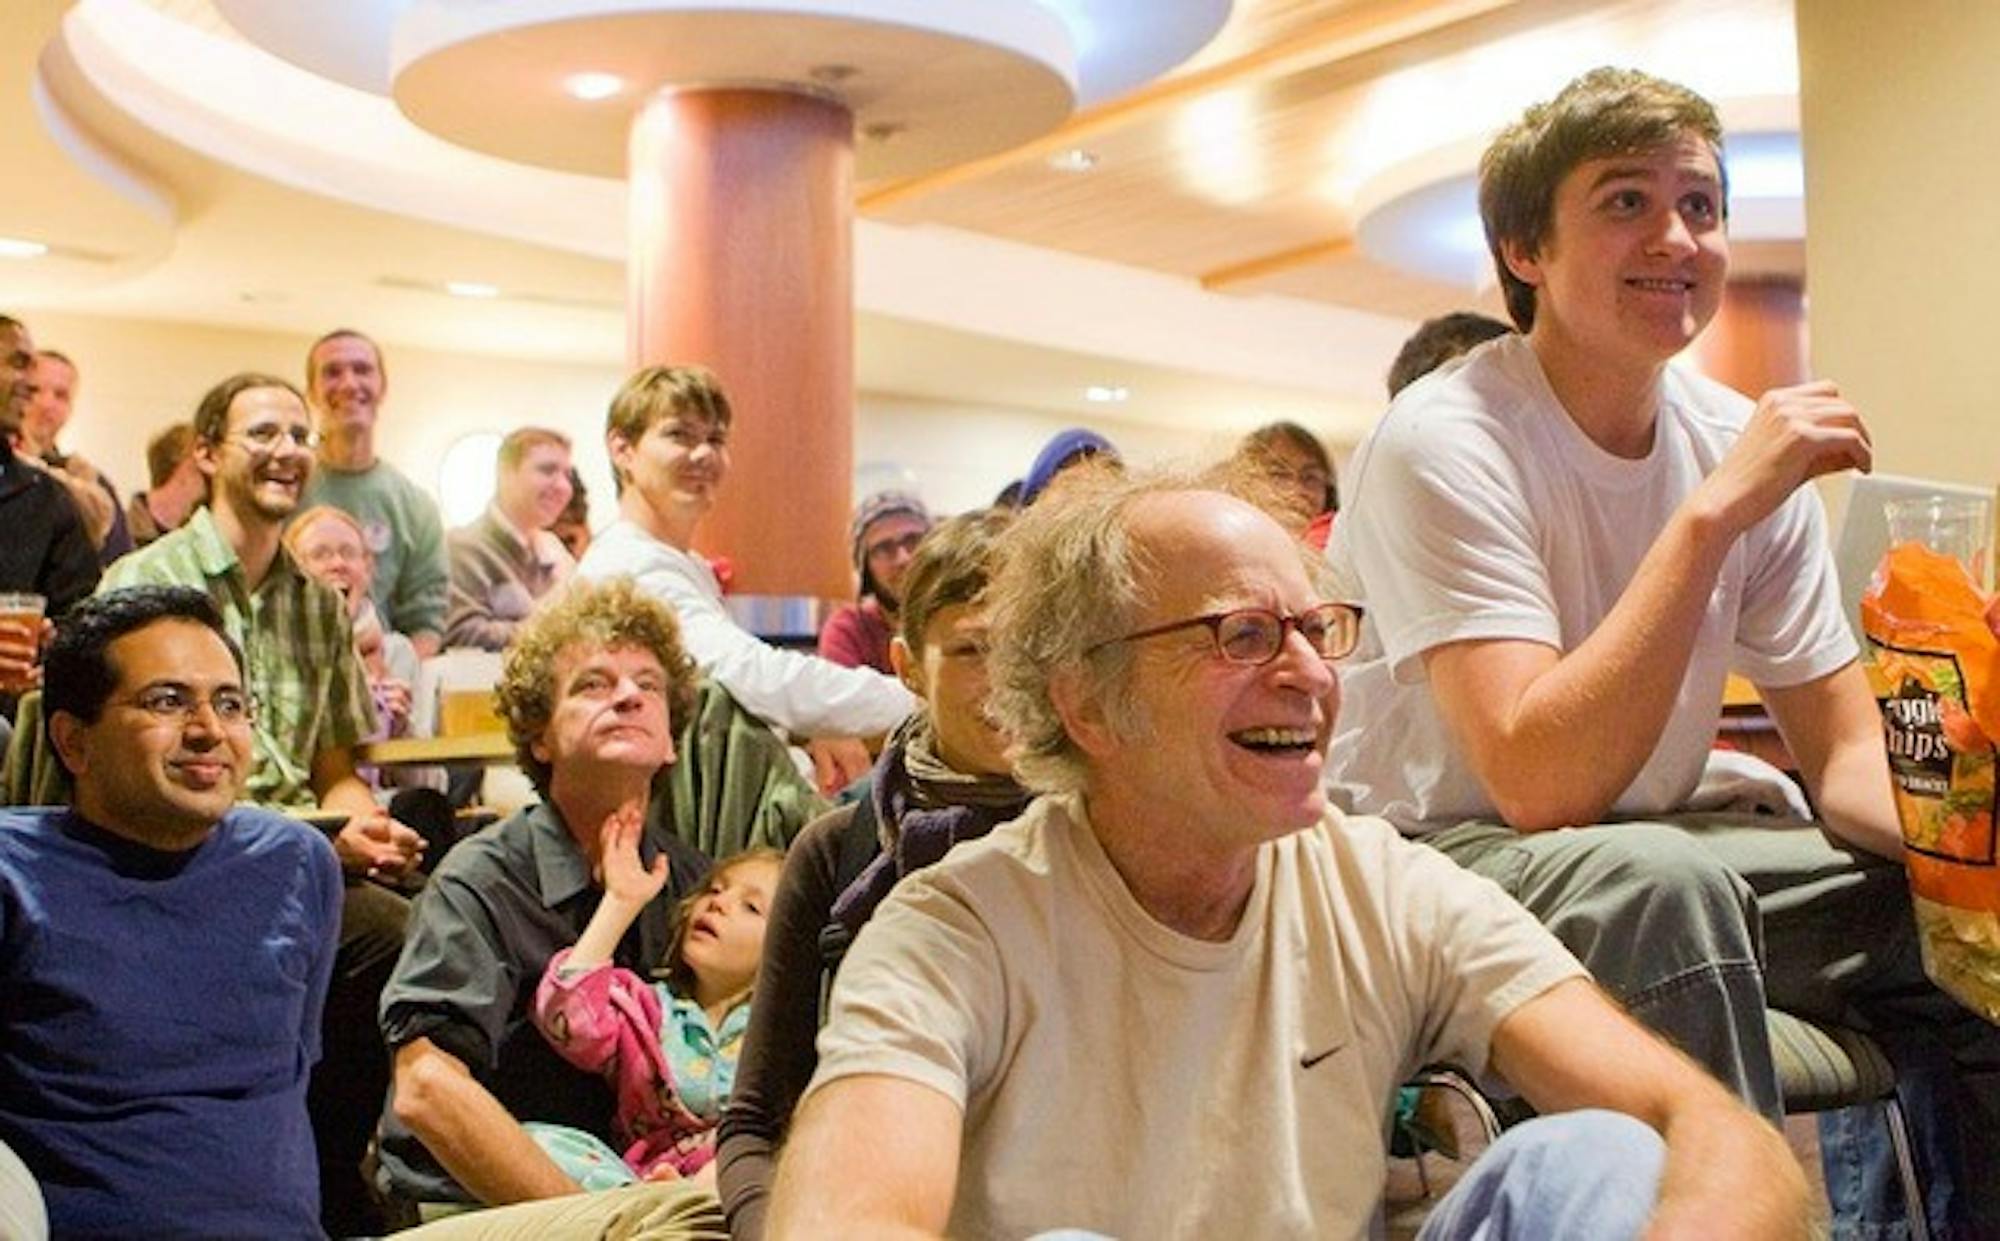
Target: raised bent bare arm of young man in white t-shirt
1557,738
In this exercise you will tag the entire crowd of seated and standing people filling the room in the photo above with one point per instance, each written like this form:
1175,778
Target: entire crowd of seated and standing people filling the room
1143,836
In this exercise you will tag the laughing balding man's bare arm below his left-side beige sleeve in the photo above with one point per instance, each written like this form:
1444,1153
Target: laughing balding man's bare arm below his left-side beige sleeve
901,1190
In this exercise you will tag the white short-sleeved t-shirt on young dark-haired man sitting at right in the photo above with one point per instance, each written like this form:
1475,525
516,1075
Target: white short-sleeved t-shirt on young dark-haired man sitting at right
1479,509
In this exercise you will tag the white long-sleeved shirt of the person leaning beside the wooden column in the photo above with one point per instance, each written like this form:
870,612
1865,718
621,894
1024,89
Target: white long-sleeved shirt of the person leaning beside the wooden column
789,690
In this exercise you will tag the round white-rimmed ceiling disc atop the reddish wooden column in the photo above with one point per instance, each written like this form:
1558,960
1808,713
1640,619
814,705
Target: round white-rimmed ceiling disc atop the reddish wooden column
929,85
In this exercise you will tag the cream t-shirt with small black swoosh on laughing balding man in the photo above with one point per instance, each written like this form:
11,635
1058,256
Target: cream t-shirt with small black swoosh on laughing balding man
1123,1078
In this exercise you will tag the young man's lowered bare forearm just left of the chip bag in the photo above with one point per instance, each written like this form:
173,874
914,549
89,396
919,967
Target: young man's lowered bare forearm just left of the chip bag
1835,734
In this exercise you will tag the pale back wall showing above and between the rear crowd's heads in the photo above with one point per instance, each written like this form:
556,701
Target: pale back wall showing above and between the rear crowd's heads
141,375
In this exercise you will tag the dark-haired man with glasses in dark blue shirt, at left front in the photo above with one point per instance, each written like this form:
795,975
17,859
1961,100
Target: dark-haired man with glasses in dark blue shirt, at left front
163,952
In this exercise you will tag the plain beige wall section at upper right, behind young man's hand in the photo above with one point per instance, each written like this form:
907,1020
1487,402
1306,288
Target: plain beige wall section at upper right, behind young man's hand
1899,109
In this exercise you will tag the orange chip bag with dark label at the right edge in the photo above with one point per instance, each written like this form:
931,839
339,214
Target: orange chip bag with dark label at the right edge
1935,670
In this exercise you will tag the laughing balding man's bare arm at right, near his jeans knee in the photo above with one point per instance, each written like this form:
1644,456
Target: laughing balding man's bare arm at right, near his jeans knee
1571,1048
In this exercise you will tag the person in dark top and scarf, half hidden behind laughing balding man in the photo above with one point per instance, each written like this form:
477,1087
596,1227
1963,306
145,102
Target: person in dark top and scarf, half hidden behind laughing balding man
941,782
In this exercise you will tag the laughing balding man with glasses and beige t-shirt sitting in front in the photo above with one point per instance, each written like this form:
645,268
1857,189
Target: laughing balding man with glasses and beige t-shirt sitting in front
1175,996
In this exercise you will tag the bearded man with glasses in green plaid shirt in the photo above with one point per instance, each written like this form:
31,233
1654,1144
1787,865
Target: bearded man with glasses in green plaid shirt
255,441
